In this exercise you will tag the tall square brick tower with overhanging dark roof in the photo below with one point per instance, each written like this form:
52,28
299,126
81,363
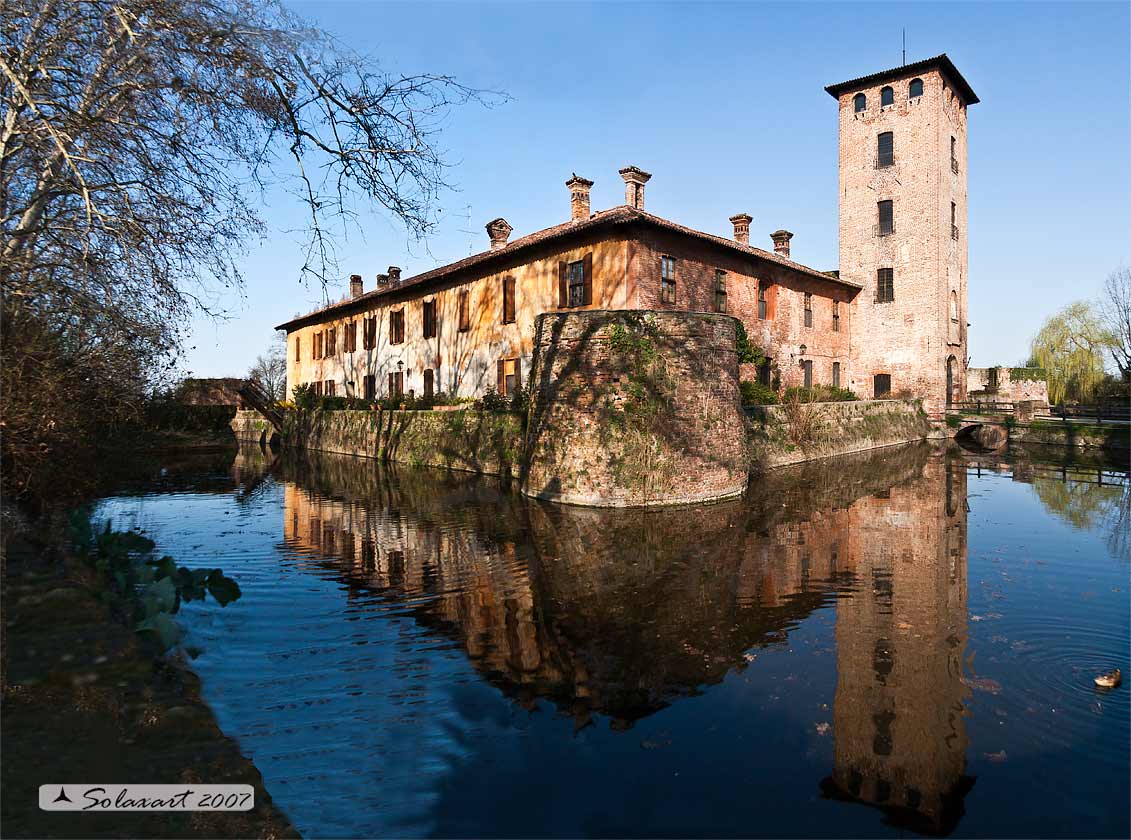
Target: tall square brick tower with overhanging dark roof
903,229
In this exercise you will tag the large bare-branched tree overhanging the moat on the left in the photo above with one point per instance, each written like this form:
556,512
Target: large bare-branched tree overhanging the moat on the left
136,140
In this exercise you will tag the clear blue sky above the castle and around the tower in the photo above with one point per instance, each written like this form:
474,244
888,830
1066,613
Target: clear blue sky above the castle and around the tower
726,106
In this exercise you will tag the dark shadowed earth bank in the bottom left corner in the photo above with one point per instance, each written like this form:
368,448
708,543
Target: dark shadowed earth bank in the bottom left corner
85,700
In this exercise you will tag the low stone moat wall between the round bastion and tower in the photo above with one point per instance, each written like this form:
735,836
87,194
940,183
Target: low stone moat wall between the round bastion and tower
795,434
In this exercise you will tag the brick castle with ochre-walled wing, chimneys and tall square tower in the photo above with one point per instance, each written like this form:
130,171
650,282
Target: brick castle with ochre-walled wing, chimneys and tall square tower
890,323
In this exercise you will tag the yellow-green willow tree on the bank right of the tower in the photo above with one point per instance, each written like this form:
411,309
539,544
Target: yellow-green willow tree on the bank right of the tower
1072,348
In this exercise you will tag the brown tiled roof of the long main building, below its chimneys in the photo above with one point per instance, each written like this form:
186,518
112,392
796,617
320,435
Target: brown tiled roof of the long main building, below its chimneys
620,215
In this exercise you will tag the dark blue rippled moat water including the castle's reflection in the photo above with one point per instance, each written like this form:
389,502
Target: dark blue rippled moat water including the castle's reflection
896,643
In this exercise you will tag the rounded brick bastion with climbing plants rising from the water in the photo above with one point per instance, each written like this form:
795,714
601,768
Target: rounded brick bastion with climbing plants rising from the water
634,408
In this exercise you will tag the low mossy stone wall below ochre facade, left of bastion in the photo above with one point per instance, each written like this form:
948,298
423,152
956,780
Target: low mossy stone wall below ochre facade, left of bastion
472,441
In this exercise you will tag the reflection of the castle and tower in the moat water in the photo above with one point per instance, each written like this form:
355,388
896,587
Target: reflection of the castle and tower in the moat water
621,613
